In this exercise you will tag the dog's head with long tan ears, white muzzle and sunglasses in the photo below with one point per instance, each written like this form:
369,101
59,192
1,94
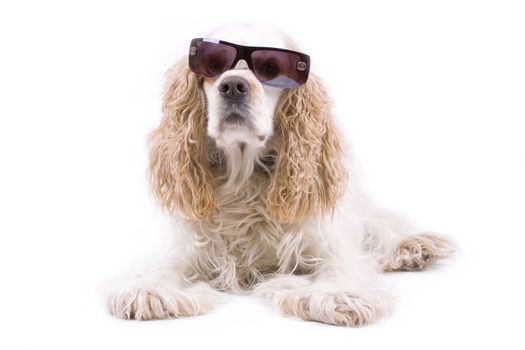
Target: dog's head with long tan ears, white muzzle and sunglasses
254,100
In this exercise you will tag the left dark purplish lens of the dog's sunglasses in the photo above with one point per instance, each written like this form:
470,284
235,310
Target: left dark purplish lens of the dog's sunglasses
211,59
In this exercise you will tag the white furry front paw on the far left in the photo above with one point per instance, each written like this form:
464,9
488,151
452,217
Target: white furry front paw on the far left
152,304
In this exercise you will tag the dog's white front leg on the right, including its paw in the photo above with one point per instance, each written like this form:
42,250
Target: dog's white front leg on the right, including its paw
332,296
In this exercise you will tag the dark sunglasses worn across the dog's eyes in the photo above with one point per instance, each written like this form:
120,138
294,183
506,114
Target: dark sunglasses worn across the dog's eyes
272,66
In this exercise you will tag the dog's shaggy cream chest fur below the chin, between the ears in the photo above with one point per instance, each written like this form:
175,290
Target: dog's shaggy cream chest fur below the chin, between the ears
239,245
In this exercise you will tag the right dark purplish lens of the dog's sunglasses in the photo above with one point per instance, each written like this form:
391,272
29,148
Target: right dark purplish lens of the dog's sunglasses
279,69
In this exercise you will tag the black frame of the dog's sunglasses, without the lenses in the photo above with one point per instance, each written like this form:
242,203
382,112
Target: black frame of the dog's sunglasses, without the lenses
245,52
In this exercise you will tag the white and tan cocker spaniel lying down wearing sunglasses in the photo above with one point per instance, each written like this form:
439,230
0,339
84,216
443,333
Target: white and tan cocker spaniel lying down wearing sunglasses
249,162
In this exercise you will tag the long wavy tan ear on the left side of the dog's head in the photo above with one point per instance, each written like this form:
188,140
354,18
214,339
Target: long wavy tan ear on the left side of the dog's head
178,169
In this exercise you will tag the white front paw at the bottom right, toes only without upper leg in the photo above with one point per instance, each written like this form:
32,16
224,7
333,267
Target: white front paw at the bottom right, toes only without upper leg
338,308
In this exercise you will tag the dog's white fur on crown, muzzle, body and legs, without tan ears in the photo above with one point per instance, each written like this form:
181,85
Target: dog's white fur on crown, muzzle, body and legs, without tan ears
323,269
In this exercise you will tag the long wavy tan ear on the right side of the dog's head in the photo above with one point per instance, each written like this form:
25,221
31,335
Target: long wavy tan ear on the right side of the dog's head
309,176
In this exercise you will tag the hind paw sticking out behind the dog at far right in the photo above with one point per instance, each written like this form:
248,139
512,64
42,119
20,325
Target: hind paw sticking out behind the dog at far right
418,252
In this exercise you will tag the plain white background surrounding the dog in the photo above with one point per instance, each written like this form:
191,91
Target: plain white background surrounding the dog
432,95
